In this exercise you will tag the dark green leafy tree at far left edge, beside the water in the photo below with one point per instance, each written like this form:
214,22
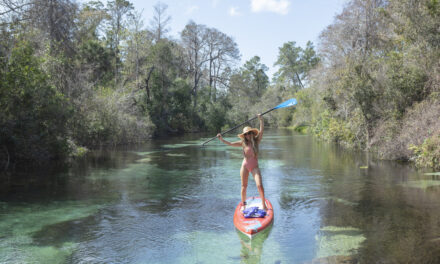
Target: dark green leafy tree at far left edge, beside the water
34,115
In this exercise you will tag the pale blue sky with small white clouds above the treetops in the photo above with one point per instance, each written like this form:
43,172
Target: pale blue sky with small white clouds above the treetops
259,27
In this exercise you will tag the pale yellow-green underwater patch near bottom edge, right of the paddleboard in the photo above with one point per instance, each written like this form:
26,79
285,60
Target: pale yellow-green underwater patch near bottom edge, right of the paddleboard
338,241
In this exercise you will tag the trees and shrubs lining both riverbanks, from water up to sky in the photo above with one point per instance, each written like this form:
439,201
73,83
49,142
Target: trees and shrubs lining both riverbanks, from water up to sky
98,76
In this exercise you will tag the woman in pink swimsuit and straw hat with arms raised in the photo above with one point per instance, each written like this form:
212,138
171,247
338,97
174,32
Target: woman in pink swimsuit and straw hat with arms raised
250,140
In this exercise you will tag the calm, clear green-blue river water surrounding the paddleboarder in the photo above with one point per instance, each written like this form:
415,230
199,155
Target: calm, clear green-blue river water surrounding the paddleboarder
172,201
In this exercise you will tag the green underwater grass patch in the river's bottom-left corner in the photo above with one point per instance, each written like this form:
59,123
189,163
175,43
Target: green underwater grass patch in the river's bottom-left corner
21,222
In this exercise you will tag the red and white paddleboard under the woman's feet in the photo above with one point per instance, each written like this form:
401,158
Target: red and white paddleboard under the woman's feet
251,226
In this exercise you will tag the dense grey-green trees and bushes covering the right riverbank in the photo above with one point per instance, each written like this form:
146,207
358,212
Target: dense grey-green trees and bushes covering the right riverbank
379,82
